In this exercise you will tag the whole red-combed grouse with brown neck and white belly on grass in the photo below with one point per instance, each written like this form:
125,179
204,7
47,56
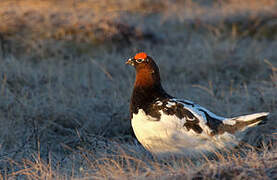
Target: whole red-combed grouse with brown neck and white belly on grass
166,125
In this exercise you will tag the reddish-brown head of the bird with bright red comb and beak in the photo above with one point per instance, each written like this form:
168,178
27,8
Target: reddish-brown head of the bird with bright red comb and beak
147,72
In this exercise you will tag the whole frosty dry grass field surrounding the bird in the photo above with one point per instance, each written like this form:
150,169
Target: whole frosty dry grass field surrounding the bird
64,87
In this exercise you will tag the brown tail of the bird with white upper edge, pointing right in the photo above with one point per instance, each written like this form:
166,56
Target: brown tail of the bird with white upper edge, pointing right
241,123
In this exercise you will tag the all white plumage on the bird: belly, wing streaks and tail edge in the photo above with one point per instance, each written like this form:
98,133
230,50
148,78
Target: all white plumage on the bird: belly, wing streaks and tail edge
169,136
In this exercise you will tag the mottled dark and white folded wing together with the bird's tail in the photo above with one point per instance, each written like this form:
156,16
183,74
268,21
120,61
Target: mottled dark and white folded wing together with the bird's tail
201,120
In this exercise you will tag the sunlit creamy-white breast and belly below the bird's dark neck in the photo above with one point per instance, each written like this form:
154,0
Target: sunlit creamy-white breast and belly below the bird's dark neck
166,135
